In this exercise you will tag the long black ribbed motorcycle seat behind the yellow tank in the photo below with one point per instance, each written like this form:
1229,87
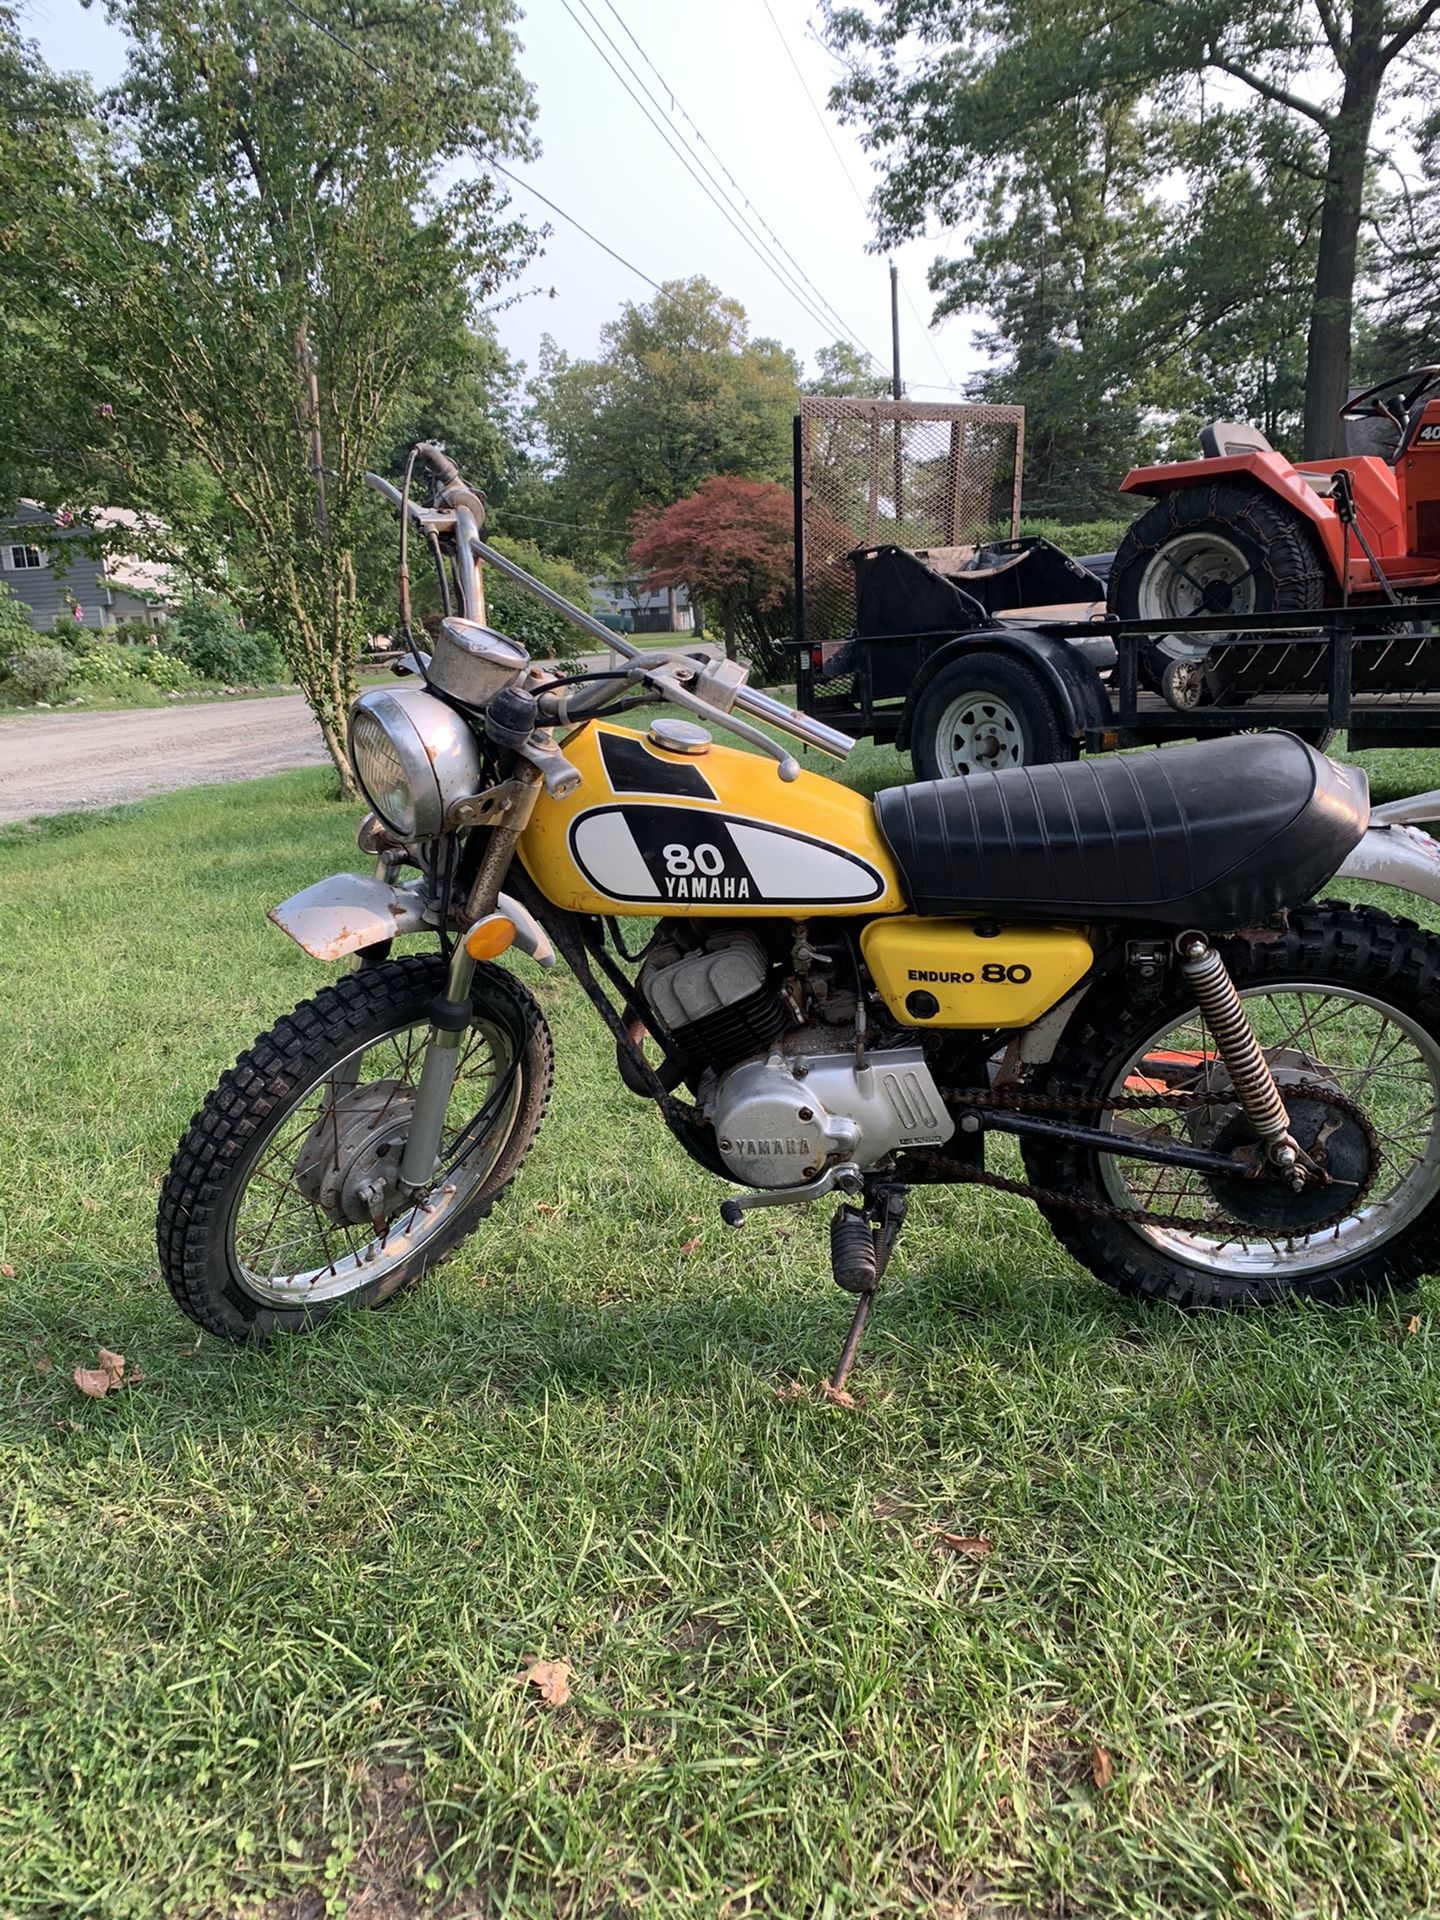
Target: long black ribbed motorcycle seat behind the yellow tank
1212,836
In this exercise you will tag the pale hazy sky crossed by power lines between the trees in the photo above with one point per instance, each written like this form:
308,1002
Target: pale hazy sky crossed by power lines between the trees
732,68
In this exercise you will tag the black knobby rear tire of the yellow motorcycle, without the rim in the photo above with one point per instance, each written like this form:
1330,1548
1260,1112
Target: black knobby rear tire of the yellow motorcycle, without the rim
1330,955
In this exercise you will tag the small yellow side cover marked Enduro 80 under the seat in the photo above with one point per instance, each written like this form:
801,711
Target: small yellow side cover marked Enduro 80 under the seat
972,972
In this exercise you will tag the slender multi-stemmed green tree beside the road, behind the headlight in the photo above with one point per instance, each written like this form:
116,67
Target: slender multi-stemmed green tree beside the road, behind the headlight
262,272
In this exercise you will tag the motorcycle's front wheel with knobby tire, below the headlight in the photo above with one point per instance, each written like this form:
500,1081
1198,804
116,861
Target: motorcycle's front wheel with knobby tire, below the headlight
285,1203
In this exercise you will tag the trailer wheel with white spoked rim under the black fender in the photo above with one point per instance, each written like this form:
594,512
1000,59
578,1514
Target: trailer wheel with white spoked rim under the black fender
982,715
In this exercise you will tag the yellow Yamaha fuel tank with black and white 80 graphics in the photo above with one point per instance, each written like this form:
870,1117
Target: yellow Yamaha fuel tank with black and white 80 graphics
660,832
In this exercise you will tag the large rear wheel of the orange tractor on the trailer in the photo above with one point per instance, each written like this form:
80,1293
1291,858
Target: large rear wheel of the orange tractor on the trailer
1220,548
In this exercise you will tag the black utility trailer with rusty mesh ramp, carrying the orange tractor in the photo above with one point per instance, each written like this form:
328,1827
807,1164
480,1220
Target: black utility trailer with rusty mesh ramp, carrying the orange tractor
928,623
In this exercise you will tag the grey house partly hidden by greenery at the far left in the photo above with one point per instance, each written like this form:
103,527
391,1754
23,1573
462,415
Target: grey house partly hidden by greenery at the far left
51,569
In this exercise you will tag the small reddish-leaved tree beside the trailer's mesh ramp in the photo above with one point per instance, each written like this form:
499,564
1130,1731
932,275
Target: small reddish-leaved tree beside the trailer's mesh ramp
732,546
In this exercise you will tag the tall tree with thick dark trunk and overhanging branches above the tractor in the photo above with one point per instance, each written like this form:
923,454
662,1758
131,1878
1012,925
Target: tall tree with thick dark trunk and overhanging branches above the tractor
944,87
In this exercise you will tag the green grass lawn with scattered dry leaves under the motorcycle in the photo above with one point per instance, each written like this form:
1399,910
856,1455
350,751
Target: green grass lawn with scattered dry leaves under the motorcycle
266,1614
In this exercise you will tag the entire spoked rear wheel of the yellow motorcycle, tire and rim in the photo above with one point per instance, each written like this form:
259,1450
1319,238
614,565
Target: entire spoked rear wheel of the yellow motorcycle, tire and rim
1347,1005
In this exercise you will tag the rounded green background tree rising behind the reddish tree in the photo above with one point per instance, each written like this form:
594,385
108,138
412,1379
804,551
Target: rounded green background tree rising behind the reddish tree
679,395
